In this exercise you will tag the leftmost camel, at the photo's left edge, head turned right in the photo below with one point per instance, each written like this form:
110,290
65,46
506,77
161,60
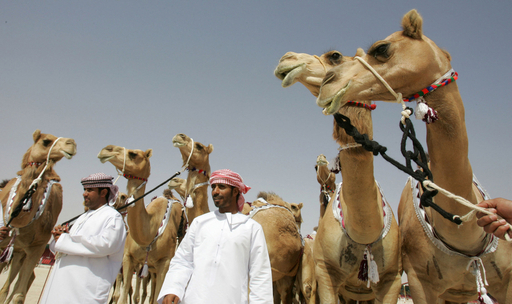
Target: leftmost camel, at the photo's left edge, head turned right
32,227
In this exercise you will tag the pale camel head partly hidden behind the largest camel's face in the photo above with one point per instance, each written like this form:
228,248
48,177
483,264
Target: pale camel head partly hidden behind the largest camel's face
307,69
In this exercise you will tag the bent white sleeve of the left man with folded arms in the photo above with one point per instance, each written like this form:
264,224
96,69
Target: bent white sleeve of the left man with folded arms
105,243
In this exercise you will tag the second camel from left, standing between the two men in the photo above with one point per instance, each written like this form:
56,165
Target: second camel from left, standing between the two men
153,229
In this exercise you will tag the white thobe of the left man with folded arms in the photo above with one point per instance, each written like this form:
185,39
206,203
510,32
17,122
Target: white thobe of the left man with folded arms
92,254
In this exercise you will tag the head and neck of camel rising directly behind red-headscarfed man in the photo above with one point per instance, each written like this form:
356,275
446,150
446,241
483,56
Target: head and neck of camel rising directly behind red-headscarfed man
196,159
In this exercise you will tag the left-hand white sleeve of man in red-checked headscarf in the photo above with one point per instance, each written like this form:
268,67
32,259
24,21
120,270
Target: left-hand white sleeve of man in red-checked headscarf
181,267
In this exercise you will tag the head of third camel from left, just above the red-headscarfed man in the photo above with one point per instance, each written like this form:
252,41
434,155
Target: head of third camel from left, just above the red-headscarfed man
200,155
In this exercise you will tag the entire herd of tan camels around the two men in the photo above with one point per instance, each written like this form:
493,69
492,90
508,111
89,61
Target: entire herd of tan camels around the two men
359,250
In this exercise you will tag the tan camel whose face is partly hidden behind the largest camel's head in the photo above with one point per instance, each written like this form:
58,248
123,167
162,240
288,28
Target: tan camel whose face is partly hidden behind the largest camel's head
338,250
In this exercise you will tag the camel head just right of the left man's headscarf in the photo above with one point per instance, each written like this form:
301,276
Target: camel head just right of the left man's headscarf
134,162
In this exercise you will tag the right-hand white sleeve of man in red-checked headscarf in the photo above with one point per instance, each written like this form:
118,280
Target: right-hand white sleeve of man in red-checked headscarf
260,271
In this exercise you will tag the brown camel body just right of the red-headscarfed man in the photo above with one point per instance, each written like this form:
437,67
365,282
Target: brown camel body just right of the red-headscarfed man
283,241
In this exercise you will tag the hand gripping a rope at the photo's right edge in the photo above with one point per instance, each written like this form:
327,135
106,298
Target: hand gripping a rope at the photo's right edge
490,223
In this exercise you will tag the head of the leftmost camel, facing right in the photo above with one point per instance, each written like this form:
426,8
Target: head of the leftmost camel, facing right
46,143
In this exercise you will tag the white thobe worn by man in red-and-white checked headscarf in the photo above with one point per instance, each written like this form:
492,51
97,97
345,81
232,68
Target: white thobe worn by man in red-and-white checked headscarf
221,257
